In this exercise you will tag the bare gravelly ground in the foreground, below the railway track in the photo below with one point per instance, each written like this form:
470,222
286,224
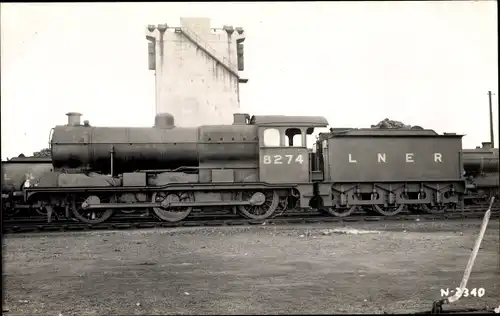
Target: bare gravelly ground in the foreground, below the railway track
316,268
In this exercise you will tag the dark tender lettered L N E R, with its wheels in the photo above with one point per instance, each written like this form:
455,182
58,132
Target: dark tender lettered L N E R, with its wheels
389,170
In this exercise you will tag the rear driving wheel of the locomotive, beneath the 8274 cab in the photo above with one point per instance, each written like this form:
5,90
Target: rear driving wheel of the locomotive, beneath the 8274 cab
259,212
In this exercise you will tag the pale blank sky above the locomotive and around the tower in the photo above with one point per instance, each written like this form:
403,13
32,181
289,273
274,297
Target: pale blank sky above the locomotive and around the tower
356,63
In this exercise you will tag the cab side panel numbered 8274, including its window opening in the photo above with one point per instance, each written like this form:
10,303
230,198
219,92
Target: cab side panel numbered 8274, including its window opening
282,164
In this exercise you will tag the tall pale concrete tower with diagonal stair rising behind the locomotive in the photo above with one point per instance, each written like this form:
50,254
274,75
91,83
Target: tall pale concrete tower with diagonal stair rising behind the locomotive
197,70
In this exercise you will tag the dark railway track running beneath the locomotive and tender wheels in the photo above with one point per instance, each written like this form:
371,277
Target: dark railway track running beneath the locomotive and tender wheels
33,225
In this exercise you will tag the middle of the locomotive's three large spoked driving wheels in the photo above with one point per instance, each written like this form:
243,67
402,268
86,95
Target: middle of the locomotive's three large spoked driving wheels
172,214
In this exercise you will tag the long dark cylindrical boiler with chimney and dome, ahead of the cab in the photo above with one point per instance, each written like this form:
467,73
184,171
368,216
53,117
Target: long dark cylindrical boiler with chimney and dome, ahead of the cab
115,150
